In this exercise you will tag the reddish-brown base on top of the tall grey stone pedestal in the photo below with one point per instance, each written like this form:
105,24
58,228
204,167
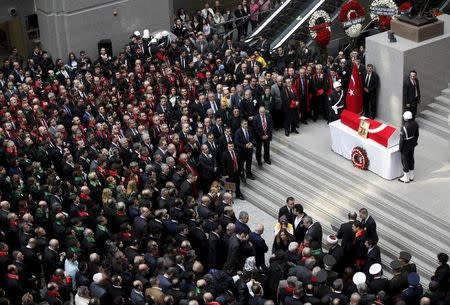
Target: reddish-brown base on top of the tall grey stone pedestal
417,33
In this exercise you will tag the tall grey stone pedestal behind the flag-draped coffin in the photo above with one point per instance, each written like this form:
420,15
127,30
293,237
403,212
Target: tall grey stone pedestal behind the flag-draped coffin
393,61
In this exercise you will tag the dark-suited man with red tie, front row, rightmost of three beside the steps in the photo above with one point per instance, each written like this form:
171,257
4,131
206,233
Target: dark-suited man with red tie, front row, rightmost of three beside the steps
263,127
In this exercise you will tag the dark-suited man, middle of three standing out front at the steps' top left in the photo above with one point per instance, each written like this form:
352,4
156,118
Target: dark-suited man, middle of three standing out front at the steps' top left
244,141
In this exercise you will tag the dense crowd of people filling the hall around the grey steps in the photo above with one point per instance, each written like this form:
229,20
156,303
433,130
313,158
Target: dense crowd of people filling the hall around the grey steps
111,171
